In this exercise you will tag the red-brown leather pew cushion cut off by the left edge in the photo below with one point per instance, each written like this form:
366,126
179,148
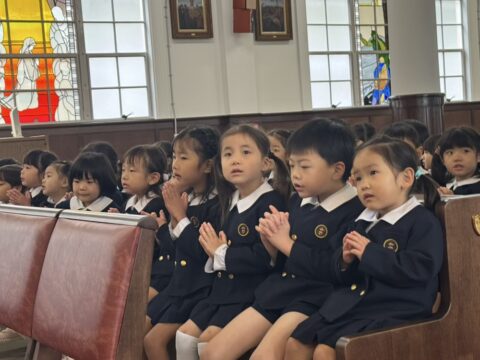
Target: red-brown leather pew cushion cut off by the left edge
23,244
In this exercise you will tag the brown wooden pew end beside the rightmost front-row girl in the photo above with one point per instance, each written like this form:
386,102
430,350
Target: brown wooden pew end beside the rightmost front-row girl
454,332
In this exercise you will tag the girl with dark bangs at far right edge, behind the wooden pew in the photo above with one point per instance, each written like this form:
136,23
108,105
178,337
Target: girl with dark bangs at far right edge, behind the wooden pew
460,152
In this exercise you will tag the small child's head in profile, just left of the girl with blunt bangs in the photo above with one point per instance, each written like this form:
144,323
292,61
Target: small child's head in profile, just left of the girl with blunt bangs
55,182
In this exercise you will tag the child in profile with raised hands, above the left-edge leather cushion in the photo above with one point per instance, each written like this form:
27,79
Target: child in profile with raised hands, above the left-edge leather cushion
34,165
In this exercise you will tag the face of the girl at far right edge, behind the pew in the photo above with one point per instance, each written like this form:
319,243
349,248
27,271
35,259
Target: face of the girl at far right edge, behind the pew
461,162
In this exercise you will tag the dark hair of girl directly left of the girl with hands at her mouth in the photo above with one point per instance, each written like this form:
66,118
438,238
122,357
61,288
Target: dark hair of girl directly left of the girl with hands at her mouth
152,159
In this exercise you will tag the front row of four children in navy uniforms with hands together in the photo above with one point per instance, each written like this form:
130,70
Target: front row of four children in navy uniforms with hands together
273,274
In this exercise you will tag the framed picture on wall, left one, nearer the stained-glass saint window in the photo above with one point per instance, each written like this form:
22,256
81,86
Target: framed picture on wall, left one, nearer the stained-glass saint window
191,19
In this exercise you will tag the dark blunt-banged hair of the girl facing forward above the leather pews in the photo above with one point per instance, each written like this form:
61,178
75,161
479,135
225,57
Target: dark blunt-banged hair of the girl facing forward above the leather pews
95,166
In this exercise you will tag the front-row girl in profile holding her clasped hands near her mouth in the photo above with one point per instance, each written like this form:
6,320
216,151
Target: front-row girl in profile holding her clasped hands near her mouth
194,151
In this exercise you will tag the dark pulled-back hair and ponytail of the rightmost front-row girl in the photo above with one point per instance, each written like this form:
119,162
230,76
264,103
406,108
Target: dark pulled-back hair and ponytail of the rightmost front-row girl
400,156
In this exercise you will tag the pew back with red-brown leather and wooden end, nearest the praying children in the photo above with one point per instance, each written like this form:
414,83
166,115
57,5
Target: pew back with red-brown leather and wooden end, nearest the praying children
92,294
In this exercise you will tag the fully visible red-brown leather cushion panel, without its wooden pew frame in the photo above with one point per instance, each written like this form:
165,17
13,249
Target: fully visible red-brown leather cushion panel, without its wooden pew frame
83,288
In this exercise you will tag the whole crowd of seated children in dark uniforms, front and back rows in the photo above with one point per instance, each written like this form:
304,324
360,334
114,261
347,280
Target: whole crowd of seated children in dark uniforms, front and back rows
281,242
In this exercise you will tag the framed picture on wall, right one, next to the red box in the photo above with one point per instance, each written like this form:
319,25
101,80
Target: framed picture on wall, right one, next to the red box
273,20
